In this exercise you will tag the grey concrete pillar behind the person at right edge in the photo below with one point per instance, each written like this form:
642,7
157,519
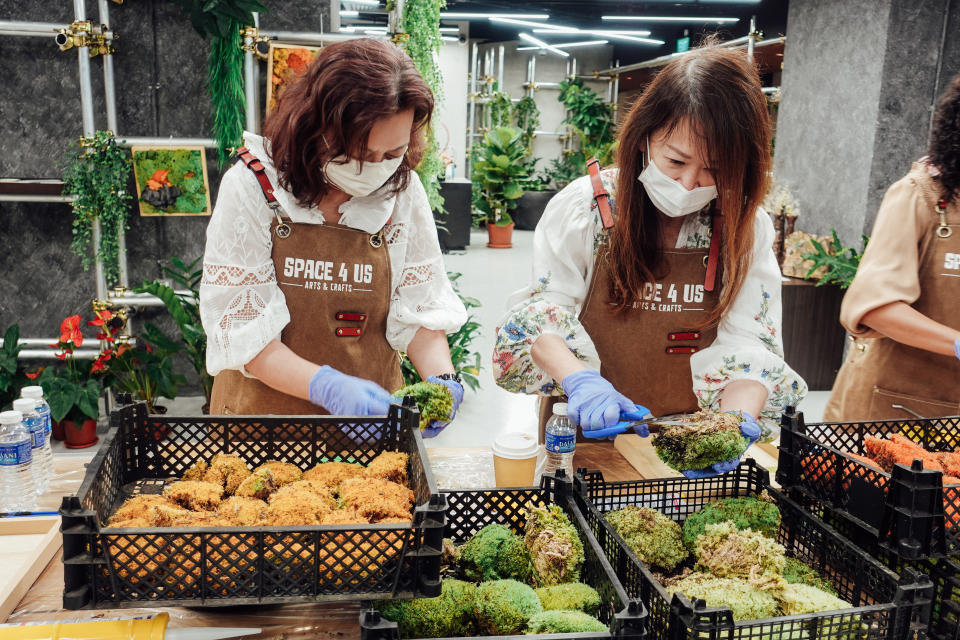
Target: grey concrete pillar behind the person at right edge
859,81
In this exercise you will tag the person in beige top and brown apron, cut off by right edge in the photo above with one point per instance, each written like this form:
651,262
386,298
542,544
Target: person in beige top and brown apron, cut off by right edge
903,307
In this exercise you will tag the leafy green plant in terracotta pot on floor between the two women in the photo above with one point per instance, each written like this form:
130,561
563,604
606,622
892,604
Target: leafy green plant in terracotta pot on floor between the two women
500,174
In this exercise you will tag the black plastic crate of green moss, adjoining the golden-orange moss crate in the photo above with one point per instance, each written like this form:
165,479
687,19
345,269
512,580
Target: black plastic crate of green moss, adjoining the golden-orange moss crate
470,511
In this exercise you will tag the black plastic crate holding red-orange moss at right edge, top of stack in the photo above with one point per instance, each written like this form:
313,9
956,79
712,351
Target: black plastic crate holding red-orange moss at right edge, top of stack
912,512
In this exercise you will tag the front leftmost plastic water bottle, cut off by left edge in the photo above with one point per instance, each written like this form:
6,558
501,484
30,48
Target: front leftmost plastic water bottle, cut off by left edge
16,479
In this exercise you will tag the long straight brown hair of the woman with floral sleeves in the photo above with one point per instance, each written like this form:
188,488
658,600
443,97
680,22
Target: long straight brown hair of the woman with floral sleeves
717,92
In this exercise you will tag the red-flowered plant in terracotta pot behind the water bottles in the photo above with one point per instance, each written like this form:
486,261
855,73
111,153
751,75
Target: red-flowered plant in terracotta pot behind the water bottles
73,391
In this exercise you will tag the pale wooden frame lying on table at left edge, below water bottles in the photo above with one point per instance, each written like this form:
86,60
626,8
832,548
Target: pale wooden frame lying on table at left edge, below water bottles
26,546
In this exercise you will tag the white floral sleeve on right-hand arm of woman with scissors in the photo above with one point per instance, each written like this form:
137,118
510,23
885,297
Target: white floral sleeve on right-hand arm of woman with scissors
748,344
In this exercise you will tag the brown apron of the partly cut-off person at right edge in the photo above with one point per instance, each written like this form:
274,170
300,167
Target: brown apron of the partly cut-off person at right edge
879,372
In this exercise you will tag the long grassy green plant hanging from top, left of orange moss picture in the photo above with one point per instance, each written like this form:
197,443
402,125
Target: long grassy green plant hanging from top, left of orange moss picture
222,21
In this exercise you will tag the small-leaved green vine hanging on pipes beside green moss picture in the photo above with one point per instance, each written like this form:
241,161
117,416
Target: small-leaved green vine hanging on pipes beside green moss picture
97,173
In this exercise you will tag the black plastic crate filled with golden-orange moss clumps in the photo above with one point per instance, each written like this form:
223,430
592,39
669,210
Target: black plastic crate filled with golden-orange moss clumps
107,567
